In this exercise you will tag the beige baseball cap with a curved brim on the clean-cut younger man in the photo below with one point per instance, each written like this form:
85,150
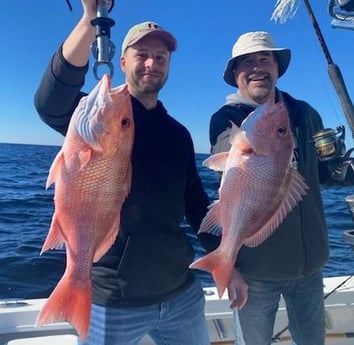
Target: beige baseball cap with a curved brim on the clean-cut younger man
138,31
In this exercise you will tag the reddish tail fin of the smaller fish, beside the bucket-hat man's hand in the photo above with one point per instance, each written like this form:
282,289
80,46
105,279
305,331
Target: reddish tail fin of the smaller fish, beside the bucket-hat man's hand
218,266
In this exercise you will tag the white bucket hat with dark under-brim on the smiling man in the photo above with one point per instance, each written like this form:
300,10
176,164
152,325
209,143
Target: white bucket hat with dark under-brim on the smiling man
253,42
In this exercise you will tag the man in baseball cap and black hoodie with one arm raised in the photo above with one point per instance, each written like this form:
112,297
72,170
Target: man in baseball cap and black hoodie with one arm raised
142,285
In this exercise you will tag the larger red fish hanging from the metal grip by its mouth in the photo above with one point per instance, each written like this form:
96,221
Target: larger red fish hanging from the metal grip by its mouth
92,175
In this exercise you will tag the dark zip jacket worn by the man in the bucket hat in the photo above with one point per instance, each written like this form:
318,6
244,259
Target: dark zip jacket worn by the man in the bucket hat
300,245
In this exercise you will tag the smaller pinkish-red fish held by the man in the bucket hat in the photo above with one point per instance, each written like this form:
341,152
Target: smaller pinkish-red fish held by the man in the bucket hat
257,190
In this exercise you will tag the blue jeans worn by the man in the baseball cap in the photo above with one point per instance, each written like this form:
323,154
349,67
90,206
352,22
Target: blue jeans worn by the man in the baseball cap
179,321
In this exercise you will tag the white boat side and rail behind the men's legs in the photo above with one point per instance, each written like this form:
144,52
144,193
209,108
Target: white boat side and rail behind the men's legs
17,319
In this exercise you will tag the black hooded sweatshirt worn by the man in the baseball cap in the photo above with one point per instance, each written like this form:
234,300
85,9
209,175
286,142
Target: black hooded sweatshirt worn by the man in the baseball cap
148,262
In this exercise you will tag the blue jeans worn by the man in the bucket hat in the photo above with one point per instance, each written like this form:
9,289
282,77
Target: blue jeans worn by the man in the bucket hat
304,304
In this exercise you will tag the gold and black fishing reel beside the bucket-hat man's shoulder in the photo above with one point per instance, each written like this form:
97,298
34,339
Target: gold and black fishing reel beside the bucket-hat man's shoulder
330,146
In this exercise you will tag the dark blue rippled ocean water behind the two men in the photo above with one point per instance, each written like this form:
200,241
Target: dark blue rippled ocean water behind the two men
26,209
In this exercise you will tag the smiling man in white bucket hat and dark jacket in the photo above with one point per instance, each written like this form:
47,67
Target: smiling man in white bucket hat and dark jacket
290,262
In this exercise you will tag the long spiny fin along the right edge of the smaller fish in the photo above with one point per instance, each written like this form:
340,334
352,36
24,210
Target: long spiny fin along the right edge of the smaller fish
297,188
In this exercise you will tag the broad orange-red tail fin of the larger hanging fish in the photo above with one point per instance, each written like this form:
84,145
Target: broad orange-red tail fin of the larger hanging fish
69,302
